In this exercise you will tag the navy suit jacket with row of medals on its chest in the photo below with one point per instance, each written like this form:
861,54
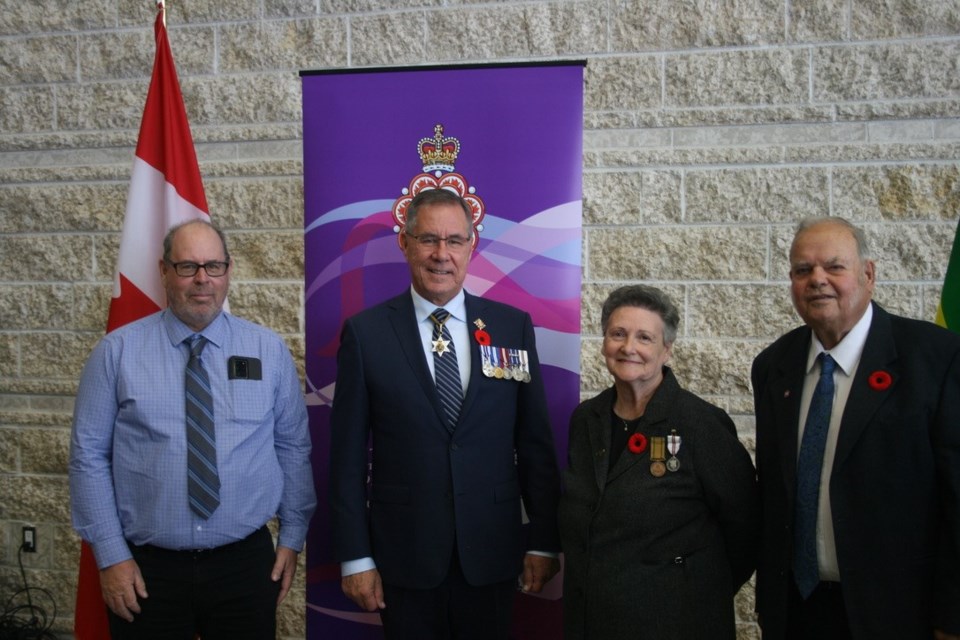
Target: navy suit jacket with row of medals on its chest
435,492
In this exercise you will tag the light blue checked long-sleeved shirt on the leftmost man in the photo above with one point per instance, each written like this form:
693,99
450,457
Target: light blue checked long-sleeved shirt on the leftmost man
128,448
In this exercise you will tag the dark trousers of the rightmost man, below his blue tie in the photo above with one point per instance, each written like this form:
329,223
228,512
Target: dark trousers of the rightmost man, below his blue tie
822,616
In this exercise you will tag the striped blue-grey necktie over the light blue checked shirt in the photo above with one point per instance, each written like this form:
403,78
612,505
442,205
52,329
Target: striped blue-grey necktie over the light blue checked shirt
203,484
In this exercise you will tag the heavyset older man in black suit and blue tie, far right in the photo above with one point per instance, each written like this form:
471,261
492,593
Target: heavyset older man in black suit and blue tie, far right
880,557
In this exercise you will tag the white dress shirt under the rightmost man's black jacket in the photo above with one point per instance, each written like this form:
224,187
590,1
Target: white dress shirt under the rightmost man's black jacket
847,356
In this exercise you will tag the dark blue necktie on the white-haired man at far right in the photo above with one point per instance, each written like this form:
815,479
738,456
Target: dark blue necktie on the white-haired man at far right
806,569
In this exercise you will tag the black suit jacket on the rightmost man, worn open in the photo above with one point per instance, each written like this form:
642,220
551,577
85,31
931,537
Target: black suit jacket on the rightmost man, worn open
895,485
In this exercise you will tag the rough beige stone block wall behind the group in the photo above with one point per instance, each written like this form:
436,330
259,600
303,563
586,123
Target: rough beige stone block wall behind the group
711,128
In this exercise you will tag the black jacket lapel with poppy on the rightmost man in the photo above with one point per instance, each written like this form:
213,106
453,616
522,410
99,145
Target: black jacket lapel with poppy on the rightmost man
879,354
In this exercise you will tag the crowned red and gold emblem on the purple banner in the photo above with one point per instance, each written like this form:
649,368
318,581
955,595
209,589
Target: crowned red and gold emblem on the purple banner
438,156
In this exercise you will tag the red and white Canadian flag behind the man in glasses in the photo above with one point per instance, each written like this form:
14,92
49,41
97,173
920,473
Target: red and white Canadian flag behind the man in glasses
165,190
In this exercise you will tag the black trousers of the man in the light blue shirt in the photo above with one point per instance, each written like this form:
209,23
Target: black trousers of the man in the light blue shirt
219,594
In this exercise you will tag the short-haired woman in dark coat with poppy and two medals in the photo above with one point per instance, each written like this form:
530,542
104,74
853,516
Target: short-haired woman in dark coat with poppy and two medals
660,517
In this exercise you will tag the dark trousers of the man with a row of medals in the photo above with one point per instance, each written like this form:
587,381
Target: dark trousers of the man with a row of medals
455,610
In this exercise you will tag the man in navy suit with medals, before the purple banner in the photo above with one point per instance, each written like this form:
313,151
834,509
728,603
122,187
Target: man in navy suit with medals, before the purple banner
437,543
